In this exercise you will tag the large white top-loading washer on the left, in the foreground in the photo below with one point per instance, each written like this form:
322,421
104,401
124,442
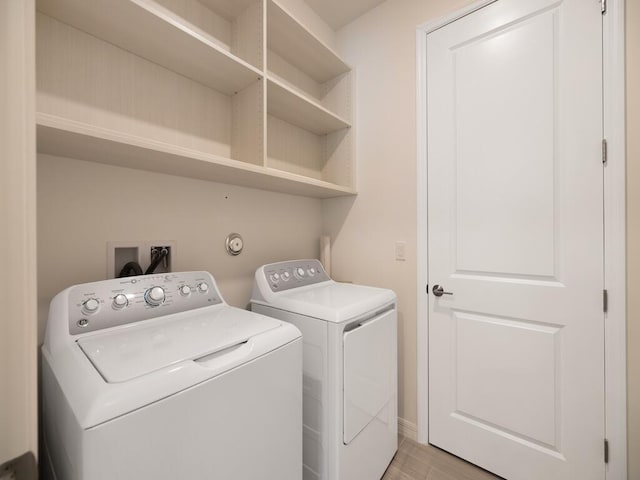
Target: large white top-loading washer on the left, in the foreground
156,377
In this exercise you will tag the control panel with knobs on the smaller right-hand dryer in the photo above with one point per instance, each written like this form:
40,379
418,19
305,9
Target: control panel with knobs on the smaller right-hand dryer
293,274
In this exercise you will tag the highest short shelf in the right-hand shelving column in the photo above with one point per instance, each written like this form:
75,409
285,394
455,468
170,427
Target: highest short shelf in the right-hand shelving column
293,42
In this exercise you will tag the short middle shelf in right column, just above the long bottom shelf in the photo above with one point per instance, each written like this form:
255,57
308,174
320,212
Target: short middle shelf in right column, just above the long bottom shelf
288,105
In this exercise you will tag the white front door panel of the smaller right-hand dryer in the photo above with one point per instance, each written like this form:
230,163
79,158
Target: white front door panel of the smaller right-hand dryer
370,362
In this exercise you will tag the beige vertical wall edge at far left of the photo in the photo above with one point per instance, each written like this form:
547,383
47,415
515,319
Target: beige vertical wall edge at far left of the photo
18,363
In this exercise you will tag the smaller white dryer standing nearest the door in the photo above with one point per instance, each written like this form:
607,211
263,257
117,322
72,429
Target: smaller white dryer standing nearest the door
349,335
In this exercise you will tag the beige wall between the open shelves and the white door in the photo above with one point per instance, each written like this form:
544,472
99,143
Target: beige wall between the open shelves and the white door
380,46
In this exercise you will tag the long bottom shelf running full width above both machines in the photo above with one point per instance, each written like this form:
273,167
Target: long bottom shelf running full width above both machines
67,138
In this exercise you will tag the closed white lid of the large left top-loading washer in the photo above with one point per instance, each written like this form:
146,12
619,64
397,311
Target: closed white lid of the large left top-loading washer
138,349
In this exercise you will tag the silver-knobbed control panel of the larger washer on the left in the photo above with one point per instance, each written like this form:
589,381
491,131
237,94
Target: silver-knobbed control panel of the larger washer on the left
109,303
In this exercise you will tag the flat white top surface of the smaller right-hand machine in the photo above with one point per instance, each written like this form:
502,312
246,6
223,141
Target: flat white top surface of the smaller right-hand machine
332,301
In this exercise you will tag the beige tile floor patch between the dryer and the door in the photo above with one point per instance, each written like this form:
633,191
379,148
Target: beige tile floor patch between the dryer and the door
424,462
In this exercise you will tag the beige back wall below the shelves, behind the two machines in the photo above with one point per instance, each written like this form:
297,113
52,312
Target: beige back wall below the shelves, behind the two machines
82,206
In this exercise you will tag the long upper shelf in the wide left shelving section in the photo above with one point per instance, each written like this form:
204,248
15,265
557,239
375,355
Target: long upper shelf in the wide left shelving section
155,33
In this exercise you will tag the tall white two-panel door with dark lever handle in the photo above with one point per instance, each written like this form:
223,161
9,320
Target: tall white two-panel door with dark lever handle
516,351
